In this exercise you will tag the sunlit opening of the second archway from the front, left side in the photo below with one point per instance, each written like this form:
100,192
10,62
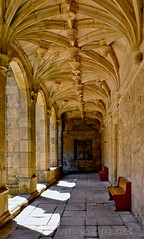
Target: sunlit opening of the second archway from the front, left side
42,159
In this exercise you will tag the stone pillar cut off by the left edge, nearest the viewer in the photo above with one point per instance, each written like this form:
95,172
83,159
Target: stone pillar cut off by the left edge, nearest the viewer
3,189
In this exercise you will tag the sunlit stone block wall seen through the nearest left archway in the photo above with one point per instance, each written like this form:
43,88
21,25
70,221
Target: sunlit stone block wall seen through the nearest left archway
12,133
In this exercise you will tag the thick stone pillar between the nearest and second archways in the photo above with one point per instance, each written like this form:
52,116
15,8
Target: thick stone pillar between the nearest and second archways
28,178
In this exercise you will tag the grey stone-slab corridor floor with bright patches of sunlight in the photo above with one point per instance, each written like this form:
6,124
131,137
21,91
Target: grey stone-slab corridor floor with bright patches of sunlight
76,207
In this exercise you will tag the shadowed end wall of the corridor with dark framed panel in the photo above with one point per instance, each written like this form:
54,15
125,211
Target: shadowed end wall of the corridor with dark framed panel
82,145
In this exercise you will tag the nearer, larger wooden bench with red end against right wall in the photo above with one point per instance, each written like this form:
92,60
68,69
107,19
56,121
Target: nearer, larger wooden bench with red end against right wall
121,194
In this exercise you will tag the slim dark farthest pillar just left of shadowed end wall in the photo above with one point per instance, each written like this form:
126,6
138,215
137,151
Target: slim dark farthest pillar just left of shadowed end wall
60,143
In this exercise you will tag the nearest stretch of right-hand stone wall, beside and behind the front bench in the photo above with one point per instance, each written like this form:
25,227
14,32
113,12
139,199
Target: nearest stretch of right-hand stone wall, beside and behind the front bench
131,141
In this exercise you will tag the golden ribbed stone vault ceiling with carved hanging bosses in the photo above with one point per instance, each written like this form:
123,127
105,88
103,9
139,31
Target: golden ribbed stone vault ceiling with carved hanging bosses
73,50
